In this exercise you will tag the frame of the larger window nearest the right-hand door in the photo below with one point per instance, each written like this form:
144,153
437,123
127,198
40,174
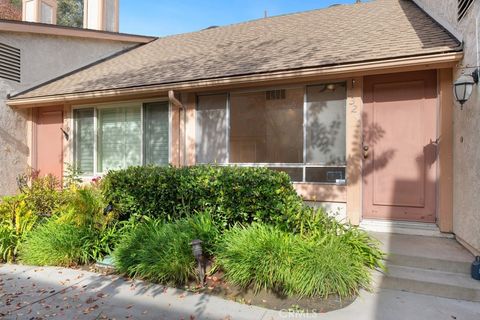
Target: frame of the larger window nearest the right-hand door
303,165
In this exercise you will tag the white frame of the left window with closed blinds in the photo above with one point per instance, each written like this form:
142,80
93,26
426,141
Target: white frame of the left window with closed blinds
116,104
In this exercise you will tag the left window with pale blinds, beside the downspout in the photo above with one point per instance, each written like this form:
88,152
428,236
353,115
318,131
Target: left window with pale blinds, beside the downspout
115,137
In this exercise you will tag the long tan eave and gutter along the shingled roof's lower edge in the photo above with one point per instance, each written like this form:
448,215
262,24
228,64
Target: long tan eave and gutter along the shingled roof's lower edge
431,61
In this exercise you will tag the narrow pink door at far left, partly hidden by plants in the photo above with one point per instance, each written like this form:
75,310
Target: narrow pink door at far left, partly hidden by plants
49,141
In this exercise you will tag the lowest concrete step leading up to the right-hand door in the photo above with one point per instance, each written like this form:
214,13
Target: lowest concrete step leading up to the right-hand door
431,282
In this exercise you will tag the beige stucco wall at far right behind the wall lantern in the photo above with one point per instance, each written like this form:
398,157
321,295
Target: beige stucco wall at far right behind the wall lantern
466,206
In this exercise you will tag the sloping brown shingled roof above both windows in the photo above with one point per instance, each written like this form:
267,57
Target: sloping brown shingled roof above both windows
344,34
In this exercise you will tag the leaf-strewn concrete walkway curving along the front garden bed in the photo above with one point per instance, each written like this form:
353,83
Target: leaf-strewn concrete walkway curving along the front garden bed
58,293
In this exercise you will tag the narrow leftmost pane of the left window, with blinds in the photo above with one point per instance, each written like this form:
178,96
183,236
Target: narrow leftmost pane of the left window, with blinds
84,140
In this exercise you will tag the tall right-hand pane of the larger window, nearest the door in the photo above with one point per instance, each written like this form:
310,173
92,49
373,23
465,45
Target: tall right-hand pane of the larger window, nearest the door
326,128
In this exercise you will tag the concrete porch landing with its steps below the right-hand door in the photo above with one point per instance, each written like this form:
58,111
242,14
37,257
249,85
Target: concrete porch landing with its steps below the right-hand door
431,265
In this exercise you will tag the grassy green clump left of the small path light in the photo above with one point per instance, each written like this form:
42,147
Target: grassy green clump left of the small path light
161,252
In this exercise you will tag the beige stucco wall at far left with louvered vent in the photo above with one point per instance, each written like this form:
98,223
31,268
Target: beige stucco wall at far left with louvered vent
43,57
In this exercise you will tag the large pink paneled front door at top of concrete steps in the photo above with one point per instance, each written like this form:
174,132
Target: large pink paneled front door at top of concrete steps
399,146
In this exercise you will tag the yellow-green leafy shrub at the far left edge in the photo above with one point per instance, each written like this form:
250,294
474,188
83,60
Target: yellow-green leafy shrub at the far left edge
16,221
